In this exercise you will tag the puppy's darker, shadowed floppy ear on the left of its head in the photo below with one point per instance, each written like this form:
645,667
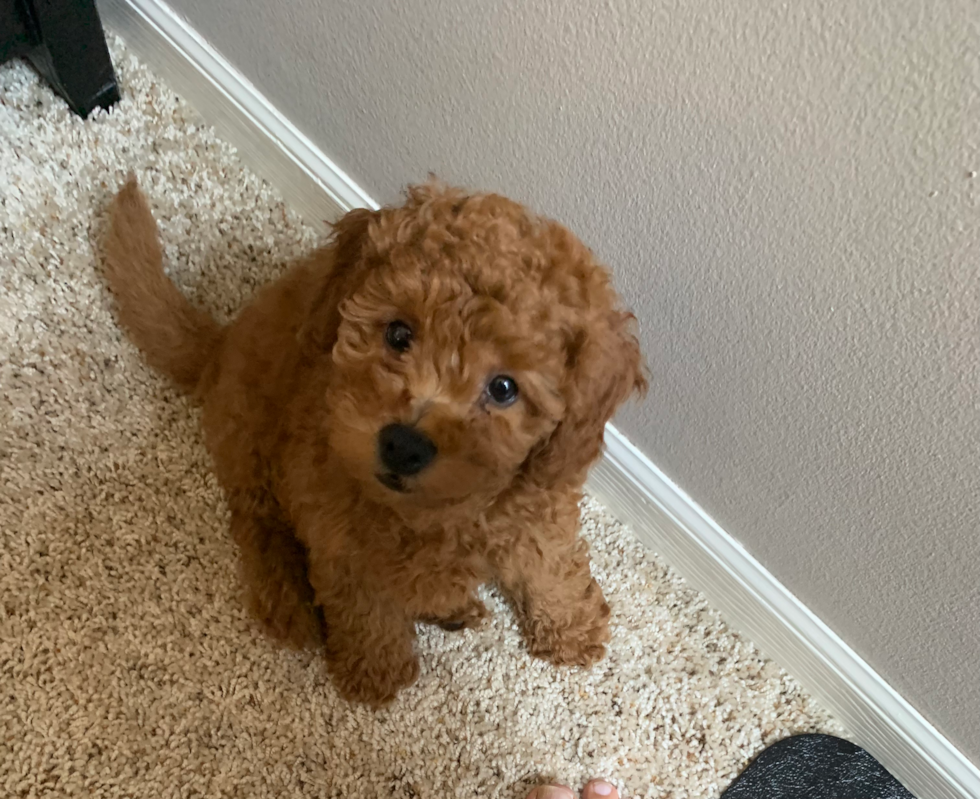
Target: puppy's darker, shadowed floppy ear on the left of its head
346,261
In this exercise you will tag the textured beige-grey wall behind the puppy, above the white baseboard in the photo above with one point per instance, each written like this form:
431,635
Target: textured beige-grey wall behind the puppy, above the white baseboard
786,194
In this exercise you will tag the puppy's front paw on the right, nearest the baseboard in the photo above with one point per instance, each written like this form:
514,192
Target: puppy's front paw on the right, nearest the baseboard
575,638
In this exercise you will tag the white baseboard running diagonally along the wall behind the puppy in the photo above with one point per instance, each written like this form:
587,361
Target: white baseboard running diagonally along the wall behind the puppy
662,515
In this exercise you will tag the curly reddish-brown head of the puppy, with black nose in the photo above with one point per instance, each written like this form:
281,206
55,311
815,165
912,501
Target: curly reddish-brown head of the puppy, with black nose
473,345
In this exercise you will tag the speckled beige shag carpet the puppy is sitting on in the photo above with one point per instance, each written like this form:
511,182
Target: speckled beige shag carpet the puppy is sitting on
127,666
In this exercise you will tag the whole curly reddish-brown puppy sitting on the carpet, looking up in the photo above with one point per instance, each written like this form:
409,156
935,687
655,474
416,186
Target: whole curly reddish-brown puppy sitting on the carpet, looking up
406,414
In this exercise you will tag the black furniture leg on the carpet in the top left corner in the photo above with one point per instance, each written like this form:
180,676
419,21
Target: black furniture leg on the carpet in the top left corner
71,53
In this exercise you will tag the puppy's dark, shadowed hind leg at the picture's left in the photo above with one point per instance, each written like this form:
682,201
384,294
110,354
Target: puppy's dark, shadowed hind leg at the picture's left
274,572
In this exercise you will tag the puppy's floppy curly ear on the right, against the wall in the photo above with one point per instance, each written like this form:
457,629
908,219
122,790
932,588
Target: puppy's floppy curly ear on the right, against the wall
604,369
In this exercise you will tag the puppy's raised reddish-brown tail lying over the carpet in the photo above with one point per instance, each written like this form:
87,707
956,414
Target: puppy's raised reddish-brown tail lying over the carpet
176,338
